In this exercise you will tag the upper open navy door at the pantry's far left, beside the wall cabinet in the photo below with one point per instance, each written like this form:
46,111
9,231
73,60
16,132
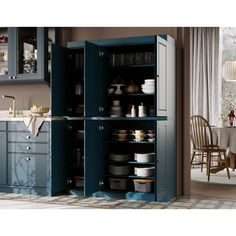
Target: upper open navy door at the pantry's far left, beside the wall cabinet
58,81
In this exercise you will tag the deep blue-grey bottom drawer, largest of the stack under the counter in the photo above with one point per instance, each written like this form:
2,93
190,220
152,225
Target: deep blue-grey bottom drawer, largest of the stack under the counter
29,170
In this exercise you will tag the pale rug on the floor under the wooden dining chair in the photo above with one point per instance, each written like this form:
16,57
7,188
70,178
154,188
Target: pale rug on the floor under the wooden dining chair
218,178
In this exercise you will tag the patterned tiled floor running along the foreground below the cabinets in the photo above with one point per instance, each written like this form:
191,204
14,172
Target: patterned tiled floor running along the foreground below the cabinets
19,201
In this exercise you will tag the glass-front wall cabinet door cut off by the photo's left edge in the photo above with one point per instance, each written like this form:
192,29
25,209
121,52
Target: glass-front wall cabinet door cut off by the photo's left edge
4,52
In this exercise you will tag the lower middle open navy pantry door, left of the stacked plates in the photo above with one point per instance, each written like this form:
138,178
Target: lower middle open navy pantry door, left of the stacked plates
94,157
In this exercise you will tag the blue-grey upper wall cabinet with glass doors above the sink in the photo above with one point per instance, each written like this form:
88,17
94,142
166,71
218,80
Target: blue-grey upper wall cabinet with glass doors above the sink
23,55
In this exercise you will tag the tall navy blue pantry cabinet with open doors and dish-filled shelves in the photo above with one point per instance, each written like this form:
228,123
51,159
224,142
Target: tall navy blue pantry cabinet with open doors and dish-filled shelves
112,74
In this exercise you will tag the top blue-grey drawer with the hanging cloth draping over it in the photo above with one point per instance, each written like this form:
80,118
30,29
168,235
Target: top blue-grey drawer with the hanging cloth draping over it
27,137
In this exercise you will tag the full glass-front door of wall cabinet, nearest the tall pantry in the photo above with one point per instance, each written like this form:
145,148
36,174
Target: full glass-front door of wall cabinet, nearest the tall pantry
29,64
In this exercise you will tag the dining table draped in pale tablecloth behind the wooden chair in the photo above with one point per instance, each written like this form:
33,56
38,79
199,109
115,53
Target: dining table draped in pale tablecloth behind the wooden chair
225,137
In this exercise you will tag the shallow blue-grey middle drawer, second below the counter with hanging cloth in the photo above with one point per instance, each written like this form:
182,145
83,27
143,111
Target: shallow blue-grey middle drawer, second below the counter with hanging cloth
28,148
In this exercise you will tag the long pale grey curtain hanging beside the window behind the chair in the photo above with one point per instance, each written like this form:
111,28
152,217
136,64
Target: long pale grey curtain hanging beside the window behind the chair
204,81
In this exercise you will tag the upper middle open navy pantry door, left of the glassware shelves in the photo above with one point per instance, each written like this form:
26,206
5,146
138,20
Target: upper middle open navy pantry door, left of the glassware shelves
95,78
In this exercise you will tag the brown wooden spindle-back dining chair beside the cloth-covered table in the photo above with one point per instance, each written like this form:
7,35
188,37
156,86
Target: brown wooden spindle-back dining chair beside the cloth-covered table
201,137
